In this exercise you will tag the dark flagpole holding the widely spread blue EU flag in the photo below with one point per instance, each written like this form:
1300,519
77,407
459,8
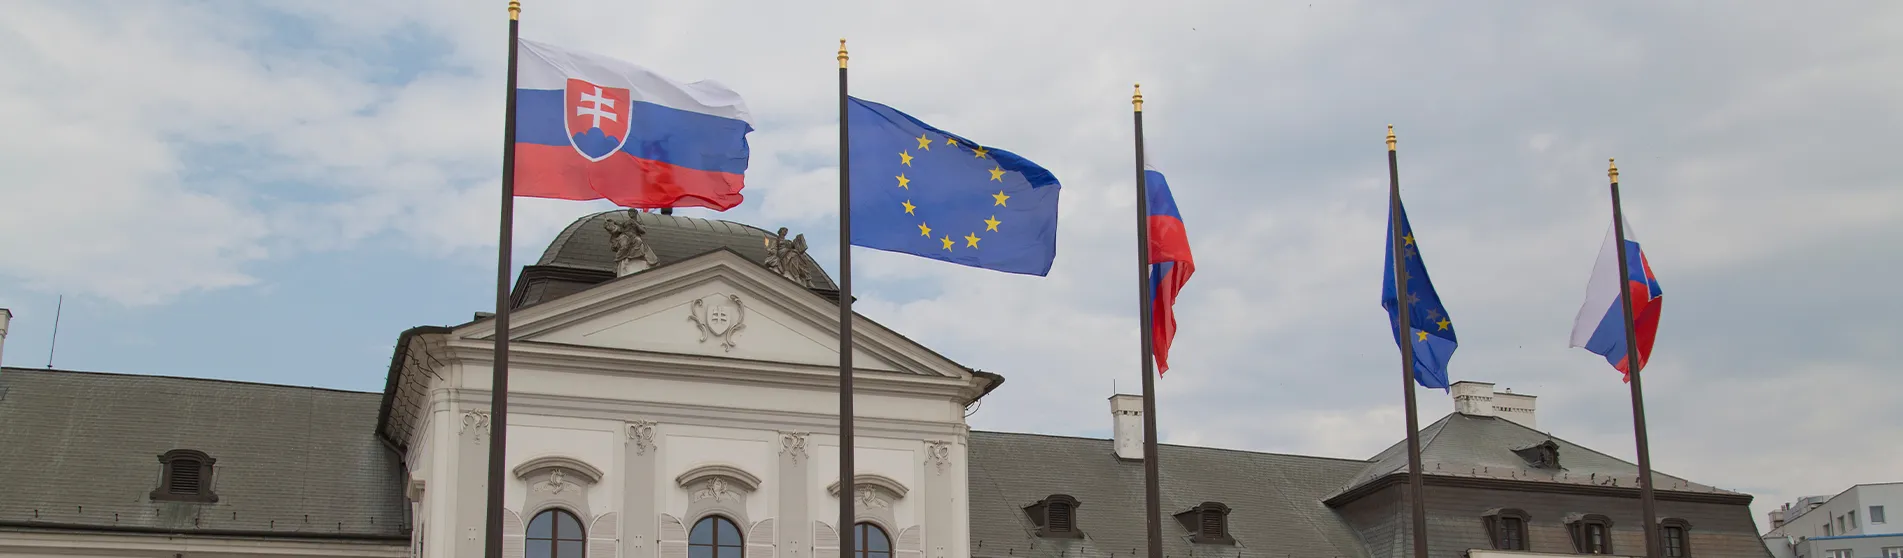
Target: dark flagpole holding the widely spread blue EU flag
848,530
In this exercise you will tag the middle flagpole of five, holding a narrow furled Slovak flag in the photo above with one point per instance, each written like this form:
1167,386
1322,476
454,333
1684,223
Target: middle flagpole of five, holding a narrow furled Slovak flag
1152,500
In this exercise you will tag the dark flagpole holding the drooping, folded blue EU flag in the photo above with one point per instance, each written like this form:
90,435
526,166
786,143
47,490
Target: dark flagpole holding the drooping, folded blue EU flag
1417,490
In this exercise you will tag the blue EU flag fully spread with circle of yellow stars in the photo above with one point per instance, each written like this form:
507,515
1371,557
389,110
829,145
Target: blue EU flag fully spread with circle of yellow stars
926,191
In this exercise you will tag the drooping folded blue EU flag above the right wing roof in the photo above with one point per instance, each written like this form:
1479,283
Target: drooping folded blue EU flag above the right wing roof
1430,329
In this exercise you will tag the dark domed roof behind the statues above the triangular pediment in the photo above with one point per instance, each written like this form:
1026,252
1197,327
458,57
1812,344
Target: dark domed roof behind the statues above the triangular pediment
585,243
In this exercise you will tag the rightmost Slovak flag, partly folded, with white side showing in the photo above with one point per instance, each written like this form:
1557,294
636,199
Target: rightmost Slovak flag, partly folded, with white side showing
1601,323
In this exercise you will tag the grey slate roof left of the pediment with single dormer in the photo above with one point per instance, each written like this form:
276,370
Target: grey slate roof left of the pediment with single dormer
83,450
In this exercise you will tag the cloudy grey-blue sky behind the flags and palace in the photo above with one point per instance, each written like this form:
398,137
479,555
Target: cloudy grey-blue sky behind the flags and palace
256,193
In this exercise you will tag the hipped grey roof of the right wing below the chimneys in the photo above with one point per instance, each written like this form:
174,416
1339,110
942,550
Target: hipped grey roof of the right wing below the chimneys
1483,448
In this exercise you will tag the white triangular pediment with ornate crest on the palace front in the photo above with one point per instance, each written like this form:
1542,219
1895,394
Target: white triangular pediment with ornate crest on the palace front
716,306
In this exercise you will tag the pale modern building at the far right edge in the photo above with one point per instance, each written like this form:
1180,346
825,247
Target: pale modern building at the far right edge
1851,525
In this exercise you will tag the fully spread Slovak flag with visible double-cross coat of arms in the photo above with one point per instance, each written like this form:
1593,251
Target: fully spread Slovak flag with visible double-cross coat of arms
591,129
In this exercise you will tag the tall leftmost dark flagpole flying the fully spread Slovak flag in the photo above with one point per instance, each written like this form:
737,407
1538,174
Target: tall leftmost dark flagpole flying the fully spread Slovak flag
500,376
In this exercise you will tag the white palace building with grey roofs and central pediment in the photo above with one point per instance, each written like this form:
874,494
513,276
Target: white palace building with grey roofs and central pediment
675,395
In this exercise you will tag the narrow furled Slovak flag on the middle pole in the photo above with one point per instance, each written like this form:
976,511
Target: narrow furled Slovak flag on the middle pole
1169,262
